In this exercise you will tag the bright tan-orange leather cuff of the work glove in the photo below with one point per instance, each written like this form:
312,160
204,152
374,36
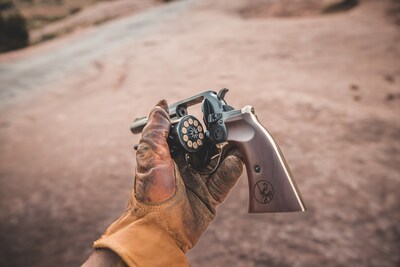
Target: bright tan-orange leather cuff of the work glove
140,236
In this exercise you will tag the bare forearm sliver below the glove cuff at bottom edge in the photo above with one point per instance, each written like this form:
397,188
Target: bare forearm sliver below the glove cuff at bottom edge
104,258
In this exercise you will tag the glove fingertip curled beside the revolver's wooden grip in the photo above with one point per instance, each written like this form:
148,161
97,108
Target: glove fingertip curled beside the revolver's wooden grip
226,176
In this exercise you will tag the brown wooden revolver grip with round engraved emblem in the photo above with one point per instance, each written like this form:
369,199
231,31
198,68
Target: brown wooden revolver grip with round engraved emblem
272,187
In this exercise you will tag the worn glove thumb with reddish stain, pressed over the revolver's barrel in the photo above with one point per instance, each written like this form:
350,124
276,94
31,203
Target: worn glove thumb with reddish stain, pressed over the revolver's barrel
155,178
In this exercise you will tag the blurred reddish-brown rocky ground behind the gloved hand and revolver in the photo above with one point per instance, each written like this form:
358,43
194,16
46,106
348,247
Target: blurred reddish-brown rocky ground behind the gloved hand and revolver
323,77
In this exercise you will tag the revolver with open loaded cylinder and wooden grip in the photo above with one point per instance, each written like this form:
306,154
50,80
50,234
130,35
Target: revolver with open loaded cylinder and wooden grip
272,187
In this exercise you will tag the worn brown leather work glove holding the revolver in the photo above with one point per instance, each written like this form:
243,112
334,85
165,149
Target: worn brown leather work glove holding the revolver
171,205
